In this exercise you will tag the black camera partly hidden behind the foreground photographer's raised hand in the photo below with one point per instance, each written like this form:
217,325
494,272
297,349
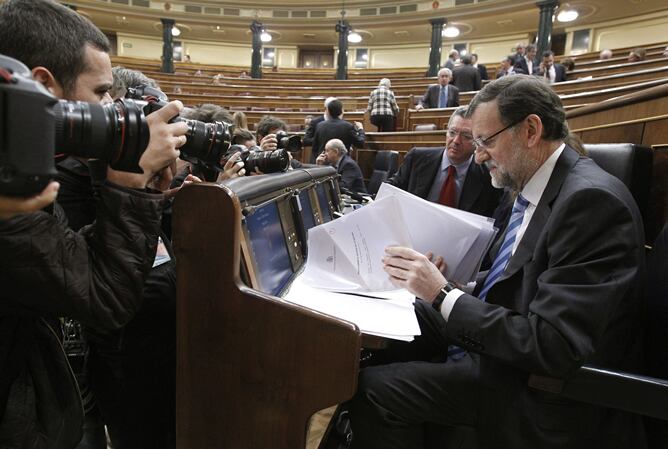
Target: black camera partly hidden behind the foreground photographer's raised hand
206,143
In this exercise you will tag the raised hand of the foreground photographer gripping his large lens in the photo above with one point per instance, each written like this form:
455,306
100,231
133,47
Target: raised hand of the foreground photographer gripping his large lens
161,150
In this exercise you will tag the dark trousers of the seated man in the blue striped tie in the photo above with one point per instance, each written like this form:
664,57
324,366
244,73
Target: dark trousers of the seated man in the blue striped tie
396,404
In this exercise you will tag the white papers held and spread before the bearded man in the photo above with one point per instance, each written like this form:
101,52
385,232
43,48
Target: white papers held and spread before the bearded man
344,276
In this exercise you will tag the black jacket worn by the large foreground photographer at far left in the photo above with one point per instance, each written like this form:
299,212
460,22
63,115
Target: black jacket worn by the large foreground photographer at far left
47,270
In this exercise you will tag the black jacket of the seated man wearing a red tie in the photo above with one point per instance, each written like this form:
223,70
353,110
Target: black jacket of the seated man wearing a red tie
418,171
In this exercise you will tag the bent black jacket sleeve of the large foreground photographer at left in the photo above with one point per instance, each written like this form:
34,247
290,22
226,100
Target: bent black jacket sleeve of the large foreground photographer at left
96,275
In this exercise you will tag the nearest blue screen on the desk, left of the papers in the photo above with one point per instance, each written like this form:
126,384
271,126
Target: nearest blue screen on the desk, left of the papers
270,252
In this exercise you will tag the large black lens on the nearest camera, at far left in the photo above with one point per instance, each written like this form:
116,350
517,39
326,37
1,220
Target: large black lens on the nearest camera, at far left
115,132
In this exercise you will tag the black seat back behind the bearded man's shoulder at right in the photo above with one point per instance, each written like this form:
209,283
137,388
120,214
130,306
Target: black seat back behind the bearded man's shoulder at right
630,163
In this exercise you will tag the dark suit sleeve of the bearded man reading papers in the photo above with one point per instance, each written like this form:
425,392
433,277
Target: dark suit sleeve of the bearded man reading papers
592,266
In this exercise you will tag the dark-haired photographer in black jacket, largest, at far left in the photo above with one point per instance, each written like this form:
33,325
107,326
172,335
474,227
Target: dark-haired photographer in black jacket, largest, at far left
95,276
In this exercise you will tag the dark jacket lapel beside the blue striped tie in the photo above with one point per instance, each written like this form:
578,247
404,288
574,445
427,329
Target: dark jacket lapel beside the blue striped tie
540,216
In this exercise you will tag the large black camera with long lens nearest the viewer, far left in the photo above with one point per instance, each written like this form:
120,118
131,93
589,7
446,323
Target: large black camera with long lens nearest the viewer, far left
35,125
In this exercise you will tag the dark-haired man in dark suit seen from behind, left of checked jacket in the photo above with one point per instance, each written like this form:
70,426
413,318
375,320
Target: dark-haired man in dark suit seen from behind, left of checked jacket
334,127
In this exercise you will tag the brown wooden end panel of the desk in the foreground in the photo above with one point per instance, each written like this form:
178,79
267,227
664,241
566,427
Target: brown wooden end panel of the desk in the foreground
251,369
